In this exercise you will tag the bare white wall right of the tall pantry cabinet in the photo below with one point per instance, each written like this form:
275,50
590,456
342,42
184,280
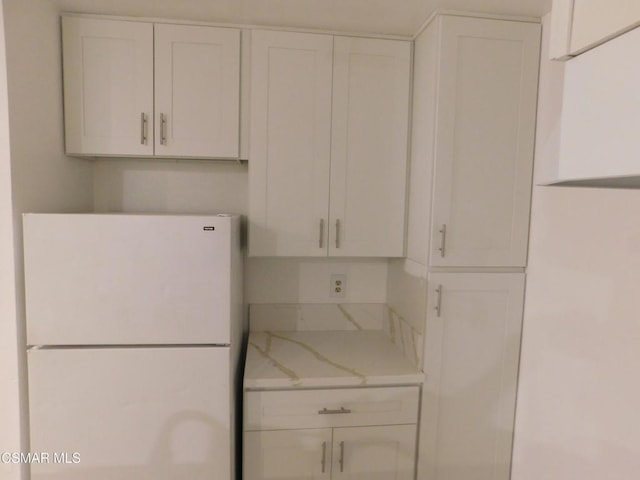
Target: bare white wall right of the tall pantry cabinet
578,392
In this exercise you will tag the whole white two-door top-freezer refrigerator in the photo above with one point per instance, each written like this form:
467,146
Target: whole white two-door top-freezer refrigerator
134,332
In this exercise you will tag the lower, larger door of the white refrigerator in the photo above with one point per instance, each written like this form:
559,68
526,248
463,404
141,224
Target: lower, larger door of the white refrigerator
131,414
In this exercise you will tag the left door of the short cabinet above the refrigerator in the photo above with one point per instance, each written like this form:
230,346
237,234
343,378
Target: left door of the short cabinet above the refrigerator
108,86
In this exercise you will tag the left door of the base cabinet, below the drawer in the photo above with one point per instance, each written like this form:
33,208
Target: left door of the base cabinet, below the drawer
303,454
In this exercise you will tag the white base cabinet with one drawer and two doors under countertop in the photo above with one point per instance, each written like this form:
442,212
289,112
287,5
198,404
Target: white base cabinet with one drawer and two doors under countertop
355,434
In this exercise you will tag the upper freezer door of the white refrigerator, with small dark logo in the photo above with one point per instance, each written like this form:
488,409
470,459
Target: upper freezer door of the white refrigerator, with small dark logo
128,279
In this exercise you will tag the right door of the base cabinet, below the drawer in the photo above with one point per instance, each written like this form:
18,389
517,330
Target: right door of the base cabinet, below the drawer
374,453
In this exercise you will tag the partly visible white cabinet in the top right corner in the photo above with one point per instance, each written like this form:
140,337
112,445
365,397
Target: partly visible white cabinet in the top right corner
578,25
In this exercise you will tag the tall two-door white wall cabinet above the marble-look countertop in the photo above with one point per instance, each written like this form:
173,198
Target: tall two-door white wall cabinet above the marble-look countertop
329,145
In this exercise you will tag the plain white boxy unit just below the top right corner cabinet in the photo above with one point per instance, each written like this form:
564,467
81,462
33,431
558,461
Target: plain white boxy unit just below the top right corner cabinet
599,142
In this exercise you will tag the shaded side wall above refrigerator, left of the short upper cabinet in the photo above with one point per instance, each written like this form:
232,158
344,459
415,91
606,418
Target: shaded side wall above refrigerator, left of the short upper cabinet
44,178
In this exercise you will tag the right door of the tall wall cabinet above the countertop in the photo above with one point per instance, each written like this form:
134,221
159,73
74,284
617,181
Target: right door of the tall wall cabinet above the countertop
371,80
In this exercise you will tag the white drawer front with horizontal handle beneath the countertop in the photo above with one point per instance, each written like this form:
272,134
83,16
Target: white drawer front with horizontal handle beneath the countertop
284,409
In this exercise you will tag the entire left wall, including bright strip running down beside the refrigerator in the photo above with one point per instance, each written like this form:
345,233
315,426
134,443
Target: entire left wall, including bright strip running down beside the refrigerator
42,179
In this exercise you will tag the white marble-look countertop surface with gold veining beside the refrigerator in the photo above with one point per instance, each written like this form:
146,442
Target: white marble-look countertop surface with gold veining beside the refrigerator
316,359
